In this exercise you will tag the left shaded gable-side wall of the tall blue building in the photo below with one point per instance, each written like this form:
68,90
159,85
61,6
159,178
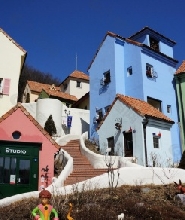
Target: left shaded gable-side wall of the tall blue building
101,96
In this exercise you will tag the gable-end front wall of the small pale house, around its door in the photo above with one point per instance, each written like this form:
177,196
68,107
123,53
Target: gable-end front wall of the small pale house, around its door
129,119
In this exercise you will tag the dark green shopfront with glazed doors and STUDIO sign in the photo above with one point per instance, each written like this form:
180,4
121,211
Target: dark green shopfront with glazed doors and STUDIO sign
18,169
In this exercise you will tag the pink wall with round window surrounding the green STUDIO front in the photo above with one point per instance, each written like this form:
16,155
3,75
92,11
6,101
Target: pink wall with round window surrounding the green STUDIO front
18,121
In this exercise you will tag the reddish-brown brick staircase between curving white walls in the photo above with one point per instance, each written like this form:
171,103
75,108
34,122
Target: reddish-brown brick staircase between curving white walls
82,169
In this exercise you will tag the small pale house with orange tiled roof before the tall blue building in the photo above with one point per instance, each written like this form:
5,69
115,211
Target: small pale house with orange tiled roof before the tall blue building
134,128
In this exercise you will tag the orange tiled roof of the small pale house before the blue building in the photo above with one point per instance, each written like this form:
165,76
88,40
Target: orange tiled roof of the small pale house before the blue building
141,107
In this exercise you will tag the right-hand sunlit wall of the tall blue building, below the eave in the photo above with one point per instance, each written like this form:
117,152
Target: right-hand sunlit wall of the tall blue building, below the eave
162,88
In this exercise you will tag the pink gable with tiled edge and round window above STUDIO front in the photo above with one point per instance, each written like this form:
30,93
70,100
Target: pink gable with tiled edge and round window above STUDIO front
18,119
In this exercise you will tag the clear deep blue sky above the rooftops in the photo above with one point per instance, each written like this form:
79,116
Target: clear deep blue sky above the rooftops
54,31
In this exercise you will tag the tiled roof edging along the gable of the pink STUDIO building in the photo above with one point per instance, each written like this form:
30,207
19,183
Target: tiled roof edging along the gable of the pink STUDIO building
27,114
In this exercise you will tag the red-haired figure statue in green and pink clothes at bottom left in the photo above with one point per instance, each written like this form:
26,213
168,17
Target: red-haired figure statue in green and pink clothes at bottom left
44,210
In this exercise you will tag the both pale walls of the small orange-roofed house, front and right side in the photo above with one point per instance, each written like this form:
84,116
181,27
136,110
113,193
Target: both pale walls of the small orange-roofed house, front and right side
133,120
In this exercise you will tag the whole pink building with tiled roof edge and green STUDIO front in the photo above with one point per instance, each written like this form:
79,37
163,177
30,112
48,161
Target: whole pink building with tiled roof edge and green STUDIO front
26,153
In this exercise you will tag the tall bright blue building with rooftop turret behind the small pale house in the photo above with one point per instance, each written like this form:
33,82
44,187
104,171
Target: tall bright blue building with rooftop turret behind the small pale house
141,66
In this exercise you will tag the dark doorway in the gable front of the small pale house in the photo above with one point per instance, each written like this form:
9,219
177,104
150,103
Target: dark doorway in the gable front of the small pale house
128,144
